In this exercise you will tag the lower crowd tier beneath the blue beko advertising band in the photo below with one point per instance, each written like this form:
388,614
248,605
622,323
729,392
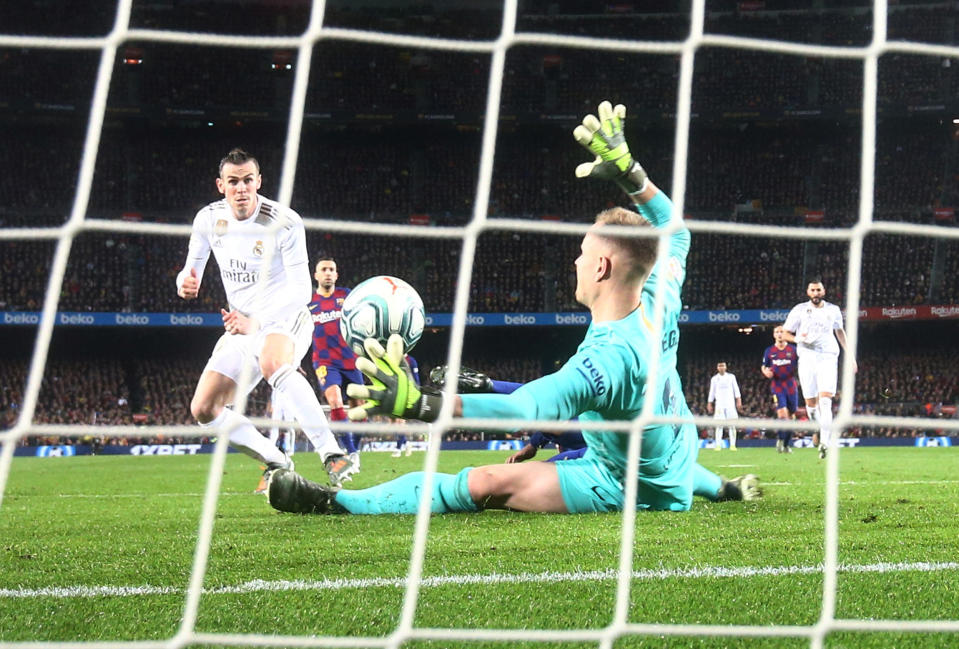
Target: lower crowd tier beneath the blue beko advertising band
154,389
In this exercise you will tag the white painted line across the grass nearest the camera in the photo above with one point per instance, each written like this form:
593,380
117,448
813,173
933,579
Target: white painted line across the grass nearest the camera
259,585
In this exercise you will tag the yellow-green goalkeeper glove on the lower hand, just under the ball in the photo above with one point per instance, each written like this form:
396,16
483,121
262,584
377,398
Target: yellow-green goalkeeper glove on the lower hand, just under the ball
392,392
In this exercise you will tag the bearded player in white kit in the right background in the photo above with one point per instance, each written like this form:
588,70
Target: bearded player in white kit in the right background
816,326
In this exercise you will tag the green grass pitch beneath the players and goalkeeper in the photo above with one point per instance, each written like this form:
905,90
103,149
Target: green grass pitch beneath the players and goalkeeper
131,522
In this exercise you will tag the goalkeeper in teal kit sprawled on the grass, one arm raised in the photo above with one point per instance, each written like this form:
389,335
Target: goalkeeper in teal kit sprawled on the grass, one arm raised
617,278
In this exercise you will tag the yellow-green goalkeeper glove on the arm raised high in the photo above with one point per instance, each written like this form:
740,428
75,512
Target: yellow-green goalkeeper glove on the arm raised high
604,137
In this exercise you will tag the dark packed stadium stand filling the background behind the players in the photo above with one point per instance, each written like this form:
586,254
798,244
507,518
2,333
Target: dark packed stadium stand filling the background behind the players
393,135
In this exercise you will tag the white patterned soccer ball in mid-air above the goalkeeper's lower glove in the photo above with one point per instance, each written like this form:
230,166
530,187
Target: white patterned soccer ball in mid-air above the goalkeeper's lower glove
379,307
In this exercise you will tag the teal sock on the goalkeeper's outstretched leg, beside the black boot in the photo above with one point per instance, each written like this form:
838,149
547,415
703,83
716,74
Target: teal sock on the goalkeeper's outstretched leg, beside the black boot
402,495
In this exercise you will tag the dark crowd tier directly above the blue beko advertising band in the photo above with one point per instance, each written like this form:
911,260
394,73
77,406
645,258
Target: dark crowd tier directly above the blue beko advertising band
512,272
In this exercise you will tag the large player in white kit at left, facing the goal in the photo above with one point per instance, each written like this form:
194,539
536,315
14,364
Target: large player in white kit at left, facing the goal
268,327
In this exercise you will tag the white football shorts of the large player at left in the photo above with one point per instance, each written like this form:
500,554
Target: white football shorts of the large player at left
232,352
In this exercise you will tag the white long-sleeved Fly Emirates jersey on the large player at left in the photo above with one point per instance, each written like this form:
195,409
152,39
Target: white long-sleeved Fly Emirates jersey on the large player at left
240,249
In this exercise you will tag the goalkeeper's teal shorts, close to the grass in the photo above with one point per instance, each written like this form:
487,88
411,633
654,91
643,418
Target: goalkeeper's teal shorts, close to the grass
588,485
